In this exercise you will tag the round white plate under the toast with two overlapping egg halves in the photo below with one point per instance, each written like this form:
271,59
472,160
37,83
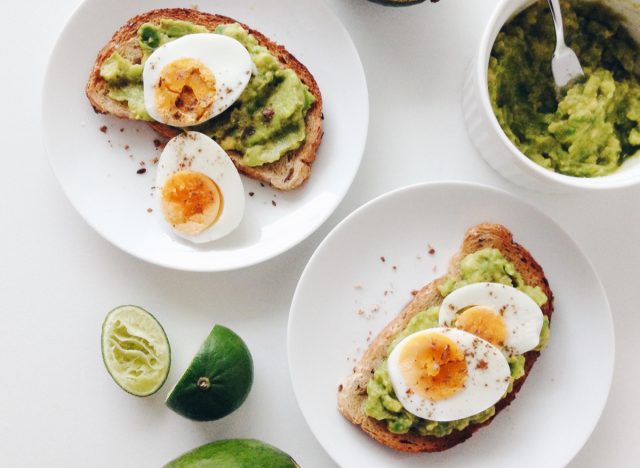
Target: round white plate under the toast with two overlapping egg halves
560,403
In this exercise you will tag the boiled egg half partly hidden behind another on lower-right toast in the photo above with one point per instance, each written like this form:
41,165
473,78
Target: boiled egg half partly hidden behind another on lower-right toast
500,314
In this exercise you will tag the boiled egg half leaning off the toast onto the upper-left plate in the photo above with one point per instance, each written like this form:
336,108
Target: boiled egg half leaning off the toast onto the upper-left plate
201,194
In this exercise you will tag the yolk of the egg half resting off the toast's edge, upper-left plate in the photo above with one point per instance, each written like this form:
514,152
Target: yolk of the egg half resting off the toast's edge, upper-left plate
191,202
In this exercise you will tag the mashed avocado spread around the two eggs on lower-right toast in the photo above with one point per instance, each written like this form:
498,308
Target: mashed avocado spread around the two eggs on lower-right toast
486,265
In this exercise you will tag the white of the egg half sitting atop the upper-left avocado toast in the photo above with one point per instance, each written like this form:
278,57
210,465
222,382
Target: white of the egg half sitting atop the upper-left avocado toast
228,60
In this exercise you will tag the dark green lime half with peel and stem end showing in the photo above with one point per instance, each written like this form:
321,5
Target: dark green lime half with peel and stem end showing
218,379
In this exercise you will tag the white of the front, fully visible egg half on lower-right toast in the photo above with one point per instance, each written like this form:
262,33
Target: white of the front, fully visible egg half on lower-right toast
484,386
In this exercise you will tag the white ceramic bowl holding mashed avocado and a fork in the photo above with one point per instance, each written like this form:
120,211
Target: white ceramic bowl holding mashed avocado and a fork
489,138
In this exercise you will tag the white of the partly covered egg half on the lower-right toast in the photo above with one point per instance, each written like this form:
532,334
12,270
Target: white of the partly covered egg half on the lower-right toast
521,315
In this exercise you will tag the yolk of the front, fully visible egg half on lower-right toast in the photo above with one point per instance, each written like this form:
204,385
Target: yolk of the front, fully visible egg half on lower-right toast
433,366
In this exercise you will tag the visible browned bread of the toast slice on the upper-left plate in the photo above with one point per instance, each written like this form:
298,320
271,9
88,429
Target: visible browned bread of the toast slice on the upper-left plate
290,171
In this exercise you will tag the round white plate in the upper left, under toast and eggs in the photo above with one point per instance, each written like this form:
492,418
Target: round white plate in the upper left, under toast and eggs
98,170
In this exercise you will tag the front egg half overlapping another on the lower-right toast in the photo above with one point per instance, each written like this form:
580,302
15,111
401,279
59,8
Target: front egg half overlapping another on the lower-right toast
445,374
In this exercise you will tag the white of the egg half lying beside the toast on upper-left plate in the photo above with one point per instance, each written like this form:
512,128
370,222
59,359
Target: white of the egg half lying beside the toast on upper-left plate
193,151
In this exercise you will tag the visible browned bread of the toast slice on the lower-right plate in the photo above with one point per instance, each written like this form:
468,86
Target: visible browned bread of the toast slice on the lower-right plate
352,393
